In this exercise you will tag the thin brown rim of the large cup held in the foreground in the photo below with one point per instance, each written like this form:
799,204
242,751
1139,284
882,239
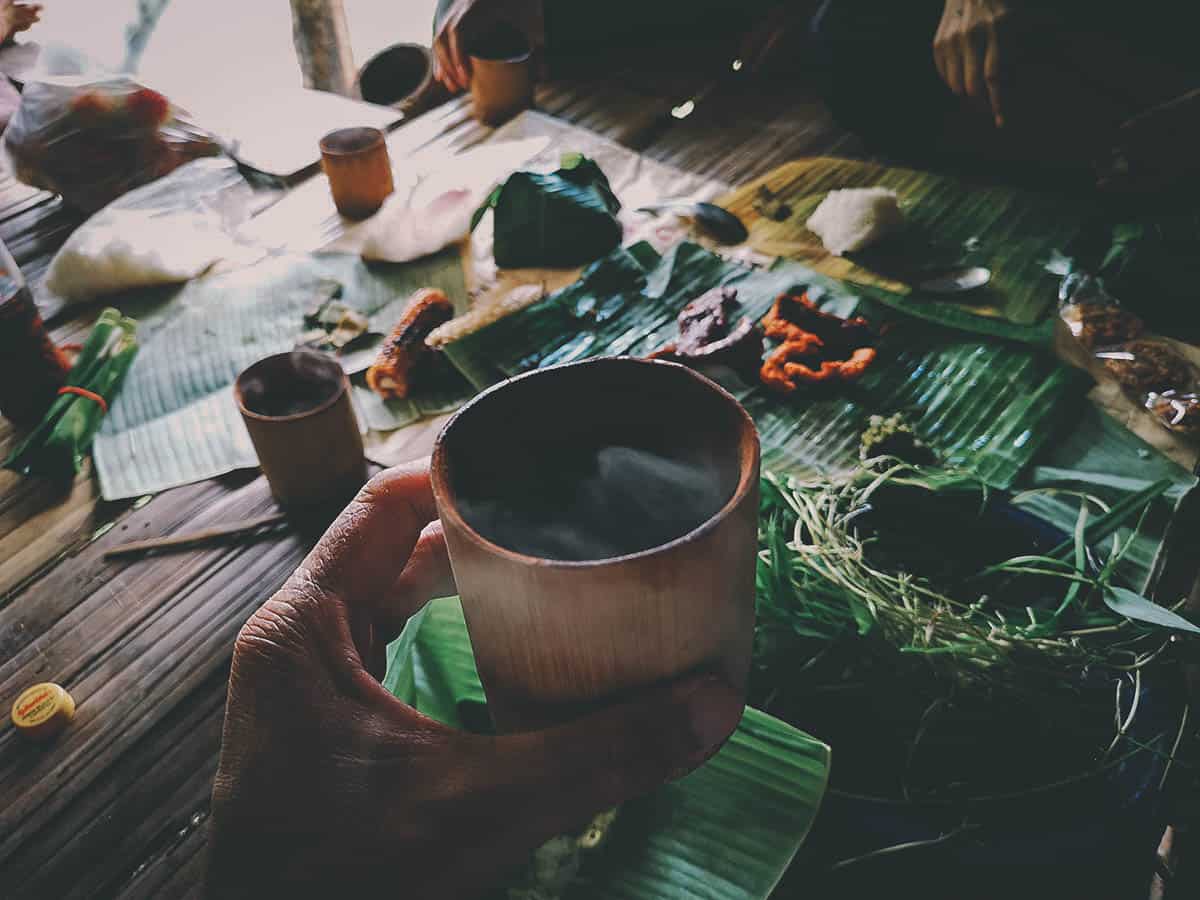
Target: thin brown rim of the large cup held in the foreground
443,494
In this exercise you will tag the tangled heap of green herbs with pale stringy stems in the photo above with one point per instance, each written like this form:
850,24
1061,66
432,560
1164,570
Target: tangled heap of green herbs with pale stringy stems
820,573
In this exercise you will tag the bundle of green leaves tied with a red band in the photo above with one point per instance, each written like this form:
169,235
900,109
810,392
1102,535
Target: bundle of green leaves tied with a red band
57,447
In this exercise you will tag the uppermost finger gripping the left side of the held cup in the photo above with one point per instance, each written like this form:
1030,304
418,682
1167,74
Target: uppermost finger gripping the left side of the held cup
365,551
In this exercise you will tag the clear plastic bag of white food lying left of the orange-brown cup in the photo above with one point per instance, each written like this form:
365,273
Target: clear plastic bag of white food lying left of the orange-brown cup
164,233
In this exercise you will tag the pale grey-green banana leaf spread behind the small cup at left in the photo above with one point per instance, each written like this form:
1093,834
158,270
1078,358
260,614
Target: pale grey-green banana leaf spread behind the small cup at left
176,421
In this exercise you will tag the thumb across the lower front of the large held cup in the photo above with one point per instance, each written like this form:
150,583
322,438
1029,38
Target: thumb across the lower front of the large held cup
566,776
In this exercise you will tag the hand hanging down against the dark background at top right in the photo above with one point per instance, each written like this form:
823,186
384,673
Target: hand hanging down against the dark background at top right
968,51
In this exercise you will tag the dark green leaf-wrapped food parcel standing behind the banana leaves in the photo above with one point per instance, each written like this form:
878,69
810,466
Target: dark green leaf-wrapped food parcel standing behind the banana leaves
561,220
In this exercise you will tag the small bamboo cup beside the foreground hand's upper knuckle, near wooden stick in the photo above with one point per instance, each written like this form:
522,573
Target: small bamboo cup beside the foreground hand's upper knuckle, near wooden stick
298,411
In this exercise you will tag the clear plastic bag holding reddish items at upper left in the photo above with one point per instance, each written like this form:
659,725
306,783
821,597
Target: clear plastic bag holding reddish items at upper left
93,139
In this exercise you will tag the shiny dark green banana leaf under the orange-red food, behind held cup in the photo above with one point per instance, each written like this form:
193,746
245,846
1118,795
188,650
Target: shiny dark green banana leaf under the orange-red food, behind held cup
987,406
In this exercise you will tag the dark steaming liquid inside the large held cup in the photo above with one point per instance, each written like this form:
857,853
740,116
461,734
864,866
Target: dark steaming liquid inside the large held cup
574,502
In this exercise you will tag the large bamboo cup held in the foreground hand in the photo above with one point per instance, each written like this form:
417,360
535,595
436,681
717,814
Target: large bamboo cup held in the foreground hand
556,639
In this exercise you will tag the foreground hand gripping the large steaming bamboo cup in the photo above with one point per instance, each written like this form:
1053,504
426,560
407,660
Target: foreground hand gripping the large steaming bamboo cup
328,784
